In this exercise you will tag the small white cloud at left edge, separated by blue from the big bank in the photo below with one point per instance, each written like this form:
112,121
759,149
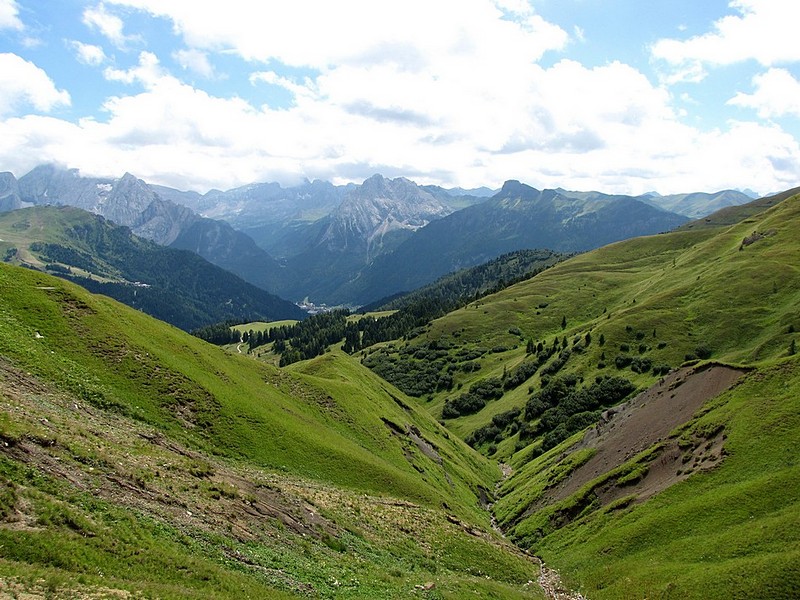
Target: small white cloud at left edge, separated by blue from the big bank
23,83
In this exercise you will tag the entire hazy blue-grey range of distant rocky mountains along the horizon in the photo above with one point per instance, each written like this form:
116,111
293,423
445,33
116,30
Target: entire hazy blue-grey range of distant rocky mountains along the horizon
355,244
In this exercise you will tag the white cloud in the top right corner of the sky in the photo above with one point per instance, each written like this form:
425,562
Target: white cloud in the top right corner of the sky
763,30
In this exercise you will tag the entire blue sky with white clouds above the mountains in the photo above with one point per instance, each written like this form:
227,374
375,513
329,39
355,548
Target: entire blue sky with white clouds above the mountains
618,96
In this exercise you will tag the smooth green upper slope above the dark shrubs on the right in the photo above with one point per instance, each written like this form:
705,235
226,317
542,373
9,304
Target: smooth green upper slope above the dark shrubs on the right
664,295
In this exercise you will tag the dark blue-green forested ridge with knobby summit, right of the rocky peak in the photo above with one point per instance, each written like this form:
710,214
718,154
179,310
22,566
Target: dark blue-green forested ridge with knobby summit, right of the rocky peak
517,217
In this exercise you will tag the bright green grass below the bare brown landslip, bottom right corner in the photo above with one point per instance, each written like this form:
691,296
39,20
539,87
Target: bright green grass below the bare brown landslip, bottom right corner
731,532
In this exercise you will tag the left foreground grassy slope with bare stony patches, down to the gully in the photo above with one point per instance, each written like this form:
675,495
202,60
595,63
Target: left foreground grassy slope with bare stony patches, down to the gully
137,458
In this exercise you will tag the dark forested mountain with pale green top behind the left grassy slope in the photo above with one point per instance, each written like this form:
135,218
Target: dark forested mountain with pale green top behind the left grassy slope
176,286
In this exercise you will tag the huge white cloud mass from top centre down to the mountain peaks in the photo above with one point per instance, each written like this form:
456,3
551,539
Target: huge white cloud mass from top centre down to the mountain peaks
447,92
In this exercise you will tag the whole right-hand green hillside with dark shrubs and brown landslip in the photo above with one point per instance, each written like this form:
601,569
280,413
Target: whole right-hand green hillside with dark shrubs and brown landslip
724,521
